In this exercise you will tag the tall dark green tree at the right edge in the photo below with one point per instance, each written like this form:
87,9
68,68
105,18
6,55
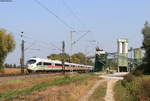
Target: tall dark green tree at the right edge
145,67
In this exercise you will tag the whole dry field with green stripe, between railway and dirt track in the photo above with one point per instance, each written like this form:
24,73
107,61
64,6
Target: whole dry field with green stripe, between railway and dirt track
49,88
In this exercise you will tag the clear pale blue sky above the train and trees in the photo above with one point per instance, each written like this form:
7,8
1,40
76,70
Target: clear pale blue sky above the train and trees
106,19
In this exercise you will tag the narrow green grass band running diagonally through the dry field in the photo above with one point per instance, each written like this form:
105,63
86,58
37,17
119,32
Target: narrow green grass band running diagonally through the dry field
59,81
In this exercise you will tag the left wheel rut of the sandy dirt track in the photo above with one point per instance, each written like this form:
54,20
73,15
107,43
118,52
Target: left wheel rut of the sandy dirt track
91,91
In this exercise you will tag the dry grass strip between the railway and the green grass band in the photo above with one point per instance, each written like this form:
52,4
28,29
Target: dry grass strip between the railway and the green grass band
29,81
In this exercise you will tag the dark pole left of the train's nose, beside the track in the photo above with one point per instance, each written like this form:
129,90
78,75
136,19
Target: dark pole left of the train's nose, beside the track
22,54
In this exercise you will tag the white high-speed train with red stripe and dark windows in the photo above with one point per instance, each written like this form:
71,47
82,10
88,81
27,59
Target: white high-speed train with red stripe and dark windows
38,64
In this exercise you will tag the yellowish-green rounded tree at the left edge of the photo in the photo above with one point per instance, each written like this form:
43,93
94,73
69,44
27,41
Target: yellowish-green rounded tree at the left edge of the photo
7,45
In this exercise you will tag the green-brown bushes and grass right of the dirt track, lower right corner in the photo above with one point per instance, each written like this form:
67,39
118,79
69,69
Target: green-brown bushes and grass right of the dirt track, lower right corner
133,88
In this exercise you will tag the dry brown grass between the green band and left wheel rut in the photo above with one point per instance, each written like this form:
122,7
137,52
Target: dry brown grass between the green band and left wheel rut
72,91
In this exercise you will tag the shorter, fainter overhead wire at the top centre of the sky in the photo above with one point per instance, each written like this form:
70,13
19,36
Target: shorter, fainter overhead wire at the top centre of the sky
71,11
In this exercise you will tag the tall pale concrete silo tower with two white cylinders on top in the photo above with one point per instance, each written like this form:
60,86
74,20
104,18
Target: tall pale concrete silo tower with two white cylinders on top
122,55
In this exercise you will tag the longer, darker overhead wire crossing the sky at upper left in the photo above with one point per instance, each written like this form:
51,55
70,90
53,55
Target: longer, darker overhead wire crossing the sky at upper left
52,13
